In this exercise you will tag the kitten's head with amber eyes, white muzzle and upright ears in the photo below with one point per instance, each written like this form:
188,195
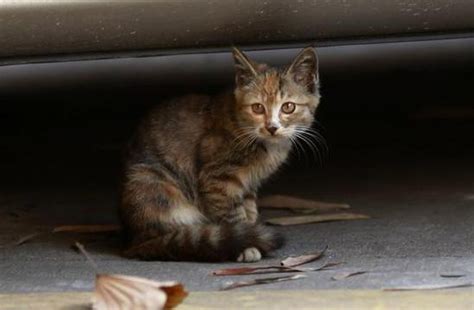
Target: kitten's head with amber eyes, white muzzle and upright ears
276,104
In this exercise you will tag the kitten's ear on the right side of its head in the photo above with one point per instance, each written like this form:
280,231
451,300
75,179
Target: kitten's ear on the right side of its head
304,69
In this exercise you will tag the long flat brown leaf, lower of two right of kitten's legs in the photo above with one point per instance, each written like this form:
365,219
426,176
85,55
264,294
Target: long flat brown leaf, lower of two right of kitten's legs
307,219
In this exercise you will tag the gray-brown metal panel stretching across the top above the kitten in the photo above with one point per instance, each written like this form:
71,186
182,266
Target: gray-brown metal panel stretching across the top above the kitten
60,28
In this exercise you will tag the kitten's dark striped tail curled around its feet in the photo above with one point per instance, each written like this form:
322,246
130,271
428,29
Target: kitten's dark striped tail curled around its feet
208,242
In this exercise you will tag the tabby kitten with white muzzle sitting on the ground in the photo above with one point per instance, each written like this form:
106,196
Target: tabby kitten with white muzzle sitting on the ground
195,164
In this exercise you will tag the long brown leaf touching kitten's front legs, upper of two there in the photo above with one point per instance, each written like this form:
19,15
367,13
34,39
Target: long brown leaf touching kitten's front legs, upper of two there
289,202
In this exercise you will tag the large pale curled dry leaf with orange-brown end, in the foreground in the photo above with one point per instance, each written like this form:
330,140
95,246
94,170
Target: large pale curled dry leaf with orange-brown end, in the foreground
113,291
